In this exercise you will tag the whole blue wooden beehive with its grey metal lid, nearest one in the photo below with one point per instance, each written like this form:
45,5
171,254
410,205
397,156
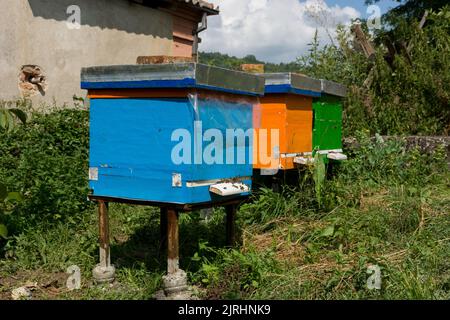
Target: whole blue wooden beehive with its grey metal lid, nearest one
150,129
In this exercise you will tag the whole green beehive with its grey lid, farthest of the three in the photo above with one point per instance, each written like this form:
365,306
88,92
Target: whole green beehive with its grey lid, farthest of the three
327,128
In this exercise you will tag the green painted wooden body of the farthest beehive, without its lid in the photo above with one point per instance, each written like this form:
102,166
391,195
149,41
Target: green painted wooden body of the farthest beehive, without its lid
327,130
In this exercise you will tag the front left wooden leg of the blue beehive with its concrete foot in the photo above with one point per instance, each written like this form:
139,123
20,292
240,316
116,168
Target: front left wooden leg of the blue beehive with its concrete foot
104,271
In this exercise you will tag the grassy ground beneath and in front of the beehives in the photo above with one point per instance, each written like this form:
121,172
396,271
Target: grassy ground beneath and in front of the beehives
310,256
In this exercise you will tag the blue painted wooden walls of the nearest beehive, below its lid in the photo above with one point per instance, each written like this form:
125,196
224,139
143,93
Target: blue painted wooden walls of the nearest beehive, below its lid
130,144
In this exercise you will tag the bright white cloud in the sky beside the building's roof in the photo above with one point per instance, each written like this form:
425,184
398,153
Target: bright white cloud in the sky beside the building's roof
273,30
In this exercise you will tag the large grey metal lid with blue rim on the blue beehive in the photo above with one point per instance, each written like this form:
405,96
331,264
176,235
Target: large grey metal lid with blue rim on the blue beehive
173,75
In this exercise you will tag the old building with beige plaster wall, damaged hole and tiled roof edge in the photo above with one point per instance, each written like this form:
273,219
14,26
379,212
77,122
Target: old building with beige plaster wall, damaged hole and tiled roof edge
45,43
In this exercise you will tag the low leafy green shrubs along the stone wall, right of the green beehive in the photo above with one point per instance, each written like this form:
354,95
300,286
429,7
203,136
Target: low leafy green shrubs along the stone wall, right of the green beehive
383,164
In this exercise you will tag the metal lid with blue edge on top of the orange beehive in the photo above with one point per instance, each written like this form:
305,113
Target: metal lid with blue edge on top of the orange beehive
292,83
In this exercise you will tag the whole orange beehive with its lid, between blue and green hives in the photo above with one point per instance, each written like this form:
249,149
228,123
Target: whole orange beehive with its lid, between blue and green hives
285,124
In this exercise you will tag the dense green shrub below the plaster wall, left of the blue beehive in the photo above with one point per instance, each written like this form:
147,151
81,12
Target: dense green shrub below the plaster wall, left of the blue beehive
46,161
